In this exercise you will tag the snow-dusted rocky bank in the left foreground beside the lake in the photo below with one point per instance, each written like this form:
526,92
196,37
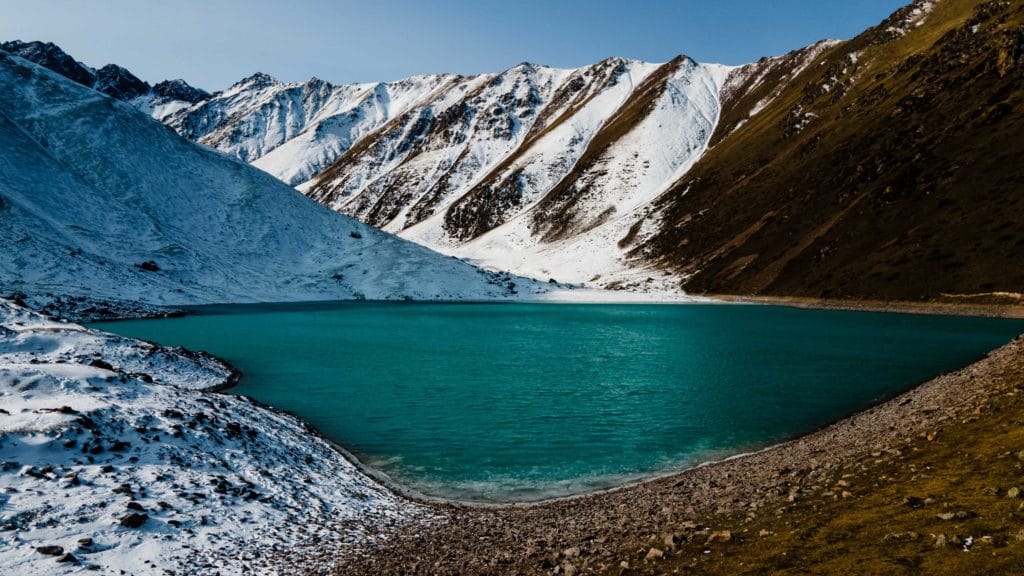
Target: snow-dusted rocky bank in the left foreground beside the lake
227,485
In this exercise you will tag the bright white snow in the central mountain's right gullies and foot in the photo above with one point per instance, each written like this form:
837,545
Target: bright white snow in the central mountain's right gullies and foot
642,167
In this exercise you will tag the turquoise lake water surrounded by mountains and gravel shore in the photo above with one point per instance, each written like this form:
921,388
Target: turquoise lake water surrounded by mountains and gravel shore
520,402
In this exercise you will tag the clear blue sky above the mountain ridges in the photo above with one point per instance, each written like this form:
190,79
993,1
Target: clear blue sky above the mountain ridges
214,44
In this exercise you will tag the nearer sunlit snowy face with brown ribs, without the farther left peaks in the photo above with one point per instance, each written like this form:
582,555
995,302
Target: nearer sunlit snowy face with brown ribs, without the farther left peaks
541,172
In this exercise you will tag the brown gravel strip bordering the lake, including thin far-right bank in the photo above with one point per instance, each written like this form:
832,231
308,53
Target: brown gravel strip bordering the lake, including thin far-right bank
606,524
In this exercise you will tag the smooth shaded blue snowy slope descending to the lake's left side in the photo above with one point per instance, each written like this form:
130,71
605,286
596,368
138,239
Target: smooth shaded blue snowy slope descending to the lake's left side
100,200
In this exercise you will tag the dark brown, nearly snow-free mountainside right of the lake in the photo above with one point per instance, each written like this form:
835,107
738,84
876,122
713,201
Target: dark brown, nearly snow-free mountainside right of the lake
888,168
